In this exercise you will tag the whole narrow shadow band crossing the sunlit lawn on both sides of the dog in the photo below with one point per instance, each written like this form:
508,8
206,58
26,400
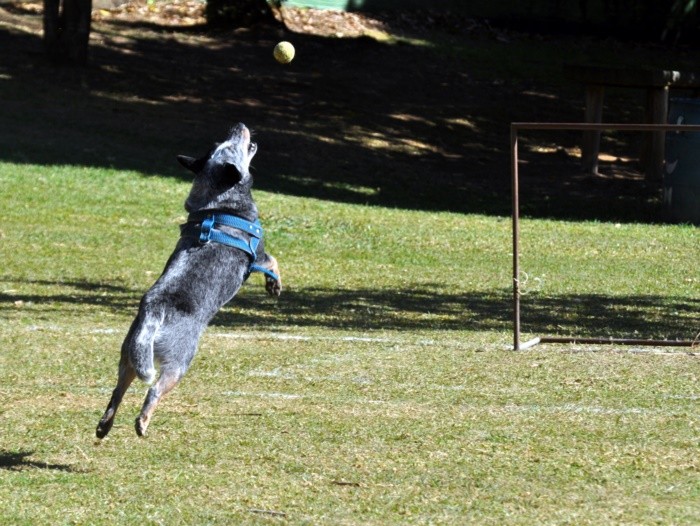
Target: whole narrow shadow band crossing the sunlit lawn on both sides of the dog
422,308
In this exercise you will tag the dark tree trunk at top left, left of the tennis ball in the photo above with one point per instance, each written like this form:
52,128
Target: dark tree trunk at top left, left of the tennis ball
67,30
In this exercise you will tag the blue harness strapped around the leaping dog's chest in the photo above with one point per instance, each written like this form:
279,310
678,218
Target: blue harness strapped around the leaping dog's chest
202,225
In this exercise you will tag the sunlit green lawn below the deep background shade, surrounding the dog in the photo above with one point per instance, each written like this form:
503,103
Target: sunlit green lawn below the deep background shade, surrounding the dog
377,390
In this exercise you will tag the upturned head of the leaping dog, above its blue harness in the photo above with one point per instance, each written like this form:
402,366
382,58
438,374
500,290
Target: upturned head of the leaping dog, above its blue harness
222,178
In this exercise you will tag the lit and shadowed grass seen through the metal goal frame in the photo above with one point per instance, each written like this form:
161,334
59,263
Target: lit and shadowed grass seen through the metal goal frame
616,280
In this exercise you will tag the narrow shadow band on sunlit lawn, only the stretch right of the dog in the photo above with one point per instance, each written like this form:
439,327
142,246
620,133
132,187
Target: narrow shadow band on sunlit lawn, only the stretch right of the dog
428,308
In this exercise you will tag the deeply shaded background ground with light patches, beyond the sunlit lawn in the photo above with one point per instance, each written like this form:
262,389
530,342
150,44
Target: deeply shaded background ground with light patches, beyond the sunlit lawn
407,108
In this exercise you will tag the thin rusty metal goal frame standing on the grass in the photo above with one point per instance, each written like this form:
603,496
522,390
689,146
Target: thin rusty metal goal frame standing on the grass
515,127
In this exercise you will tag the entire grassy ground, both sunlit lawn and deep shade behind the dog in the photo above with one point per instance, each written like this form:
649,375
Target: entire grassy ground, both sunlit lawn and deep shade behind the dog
379,389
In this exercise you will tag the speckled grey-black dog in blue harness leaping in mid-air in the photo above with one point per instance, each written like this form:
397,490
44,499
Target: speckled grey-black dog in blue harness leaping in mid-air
219,246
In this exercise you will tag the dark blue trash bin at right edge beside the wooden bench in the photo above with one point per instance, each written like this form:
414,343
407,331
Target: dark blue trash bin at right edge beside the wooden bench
682,167
